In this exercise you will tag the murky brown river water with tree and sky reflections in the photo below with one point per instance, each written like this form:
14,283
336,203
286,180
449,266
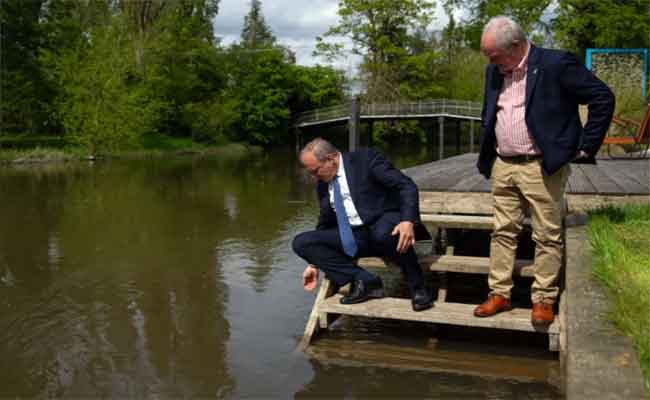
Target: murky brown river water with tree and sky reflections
175,278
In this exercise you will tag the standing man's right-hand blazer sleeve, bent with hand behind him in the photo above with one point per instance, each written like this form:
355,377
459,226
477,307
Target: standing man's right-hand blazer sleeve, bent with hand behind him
590,90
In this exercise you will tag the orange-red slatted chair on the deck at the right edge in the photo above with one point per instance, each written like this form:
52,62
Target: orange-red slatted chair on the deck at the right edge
636,135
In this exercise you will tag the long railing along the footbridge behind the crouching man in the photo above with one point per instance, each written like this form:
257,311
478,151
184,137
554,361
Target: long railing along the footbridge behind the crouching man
430,108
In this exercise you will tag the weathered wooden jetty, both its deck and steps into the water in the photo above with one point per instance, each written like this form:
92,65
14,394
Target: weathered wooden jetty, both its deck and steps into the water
453,195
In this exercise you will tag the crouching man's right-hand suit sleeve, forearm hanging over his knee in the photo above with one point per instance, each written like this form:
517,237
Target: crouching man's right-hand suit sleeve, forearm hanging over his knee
393,179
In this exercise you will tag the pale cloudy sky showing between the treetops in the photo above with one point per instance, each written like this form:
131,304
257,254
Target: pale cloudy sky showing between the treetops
294,23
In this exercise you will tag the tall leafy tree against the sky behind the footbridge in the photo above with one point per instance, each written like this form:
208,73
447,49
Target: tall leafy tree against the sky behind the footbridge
379,31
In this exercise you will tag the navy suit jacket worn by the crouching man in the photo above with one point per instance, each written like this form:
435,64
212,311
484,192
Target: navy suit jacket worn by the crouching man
376,187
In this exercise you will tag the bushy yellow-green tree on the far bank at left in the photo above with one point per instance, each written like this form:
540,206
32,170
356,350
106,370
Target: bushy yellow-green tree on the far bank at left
98,107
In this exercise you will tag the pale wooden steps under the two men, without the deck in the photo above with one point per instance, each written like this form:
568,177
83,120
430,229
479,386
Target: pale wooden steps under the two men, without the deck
327,306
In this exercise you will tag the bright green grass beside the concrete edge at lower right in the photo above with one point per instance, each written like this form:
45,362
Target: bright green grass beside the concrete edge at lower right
620,237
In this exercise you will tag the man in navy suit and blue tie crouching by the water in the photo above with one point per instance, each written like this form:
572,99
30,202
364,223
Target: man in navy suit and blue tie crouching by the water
367,208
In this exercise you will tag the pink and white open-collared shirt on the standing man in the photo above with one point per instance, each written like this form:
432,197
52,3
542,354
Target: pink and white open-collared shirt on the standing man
513,138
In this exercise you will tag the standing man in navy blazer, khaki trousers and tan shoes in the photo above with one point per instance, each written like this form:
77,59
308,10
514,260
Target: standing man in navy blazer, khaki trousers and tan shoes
530,131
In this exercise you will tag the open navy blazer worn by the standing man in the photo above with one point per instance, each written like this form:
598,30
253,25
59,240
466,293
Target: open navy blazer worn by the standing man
556,83
